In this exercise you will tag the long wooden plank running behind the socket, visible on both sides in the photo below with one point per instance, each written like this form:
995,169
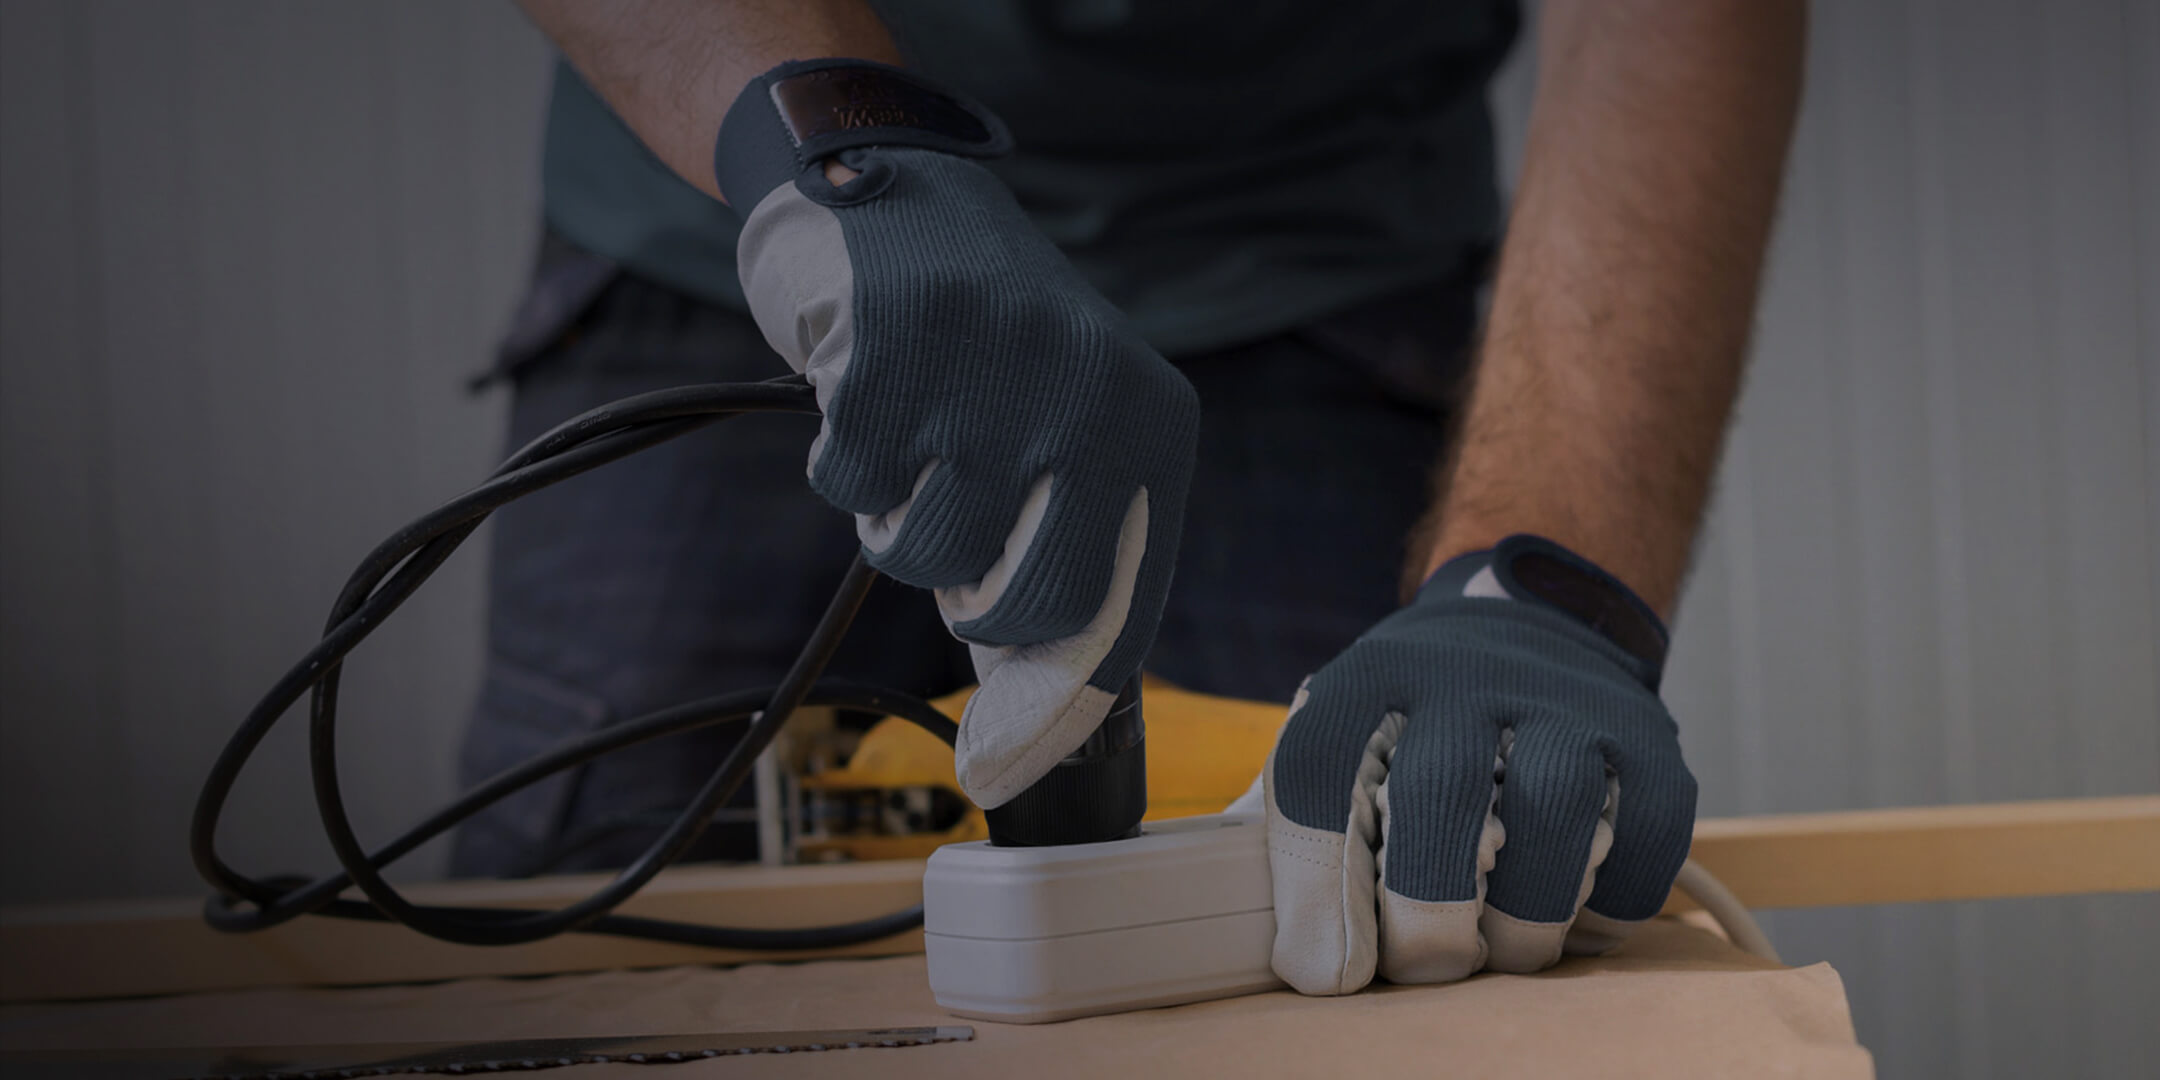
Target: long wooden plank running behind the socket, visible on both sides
1785,861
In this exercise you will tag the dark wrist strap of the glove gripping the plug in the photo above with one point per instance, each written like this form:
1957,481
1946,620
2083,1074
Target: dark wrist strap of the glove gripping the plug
805,111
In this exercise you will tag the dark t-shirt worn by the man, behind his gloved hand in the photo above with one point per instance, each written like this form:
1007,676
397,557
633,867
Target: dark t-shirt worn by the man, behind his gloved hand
1221,170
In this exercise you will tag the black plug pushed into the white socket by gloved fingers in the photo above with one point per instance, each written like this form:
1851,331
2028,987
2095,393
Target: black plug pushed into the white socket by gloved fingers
1096,794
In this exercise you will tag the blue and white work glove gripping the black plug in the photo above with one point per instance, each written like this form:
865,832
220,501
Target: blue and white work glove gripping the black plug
999,431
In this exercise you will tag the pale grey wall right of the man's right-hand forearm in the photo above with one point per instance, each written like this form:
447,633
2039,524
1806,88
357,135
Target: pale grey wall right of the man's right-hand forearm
1932,567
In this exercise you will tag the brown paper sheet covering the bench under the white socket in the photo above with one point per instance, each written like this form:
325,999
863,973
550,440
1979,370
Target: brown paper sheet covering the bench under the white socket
1677,1001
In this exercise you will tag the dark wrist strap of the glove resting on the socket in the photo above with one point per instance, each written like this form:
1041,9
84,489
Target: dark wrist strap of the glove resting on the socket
1543,573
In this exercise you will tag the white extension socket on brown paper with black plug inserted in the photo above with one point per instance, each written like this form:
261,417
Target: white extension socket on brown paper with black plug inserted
1178,915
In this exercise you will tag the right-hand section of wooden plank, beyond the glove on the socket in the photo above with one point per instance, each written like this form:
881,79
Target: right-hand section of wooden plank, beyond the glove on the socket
2055,848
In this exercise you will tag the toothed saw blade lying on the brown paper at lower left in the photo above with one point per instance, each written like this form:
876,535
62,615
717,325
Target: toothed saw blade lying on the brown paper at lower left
383,1059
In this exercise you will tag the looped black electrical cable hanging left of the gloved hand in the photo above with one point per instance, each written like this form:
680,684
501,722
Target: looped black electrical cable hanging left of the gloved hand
396,569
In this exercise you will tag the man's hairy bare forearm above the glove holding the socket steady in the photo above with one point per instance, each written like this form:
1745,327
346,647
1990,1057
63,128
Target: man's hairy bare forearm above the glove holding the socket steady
1628,284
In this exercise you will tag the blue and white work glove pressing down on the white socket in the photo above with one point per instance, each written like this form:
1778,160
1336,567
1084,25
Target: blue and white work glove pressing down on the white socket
1487,779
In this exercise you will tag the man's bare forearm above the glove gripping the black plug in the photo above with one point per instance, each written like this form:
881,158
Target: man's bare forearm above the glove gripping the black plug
673,68
